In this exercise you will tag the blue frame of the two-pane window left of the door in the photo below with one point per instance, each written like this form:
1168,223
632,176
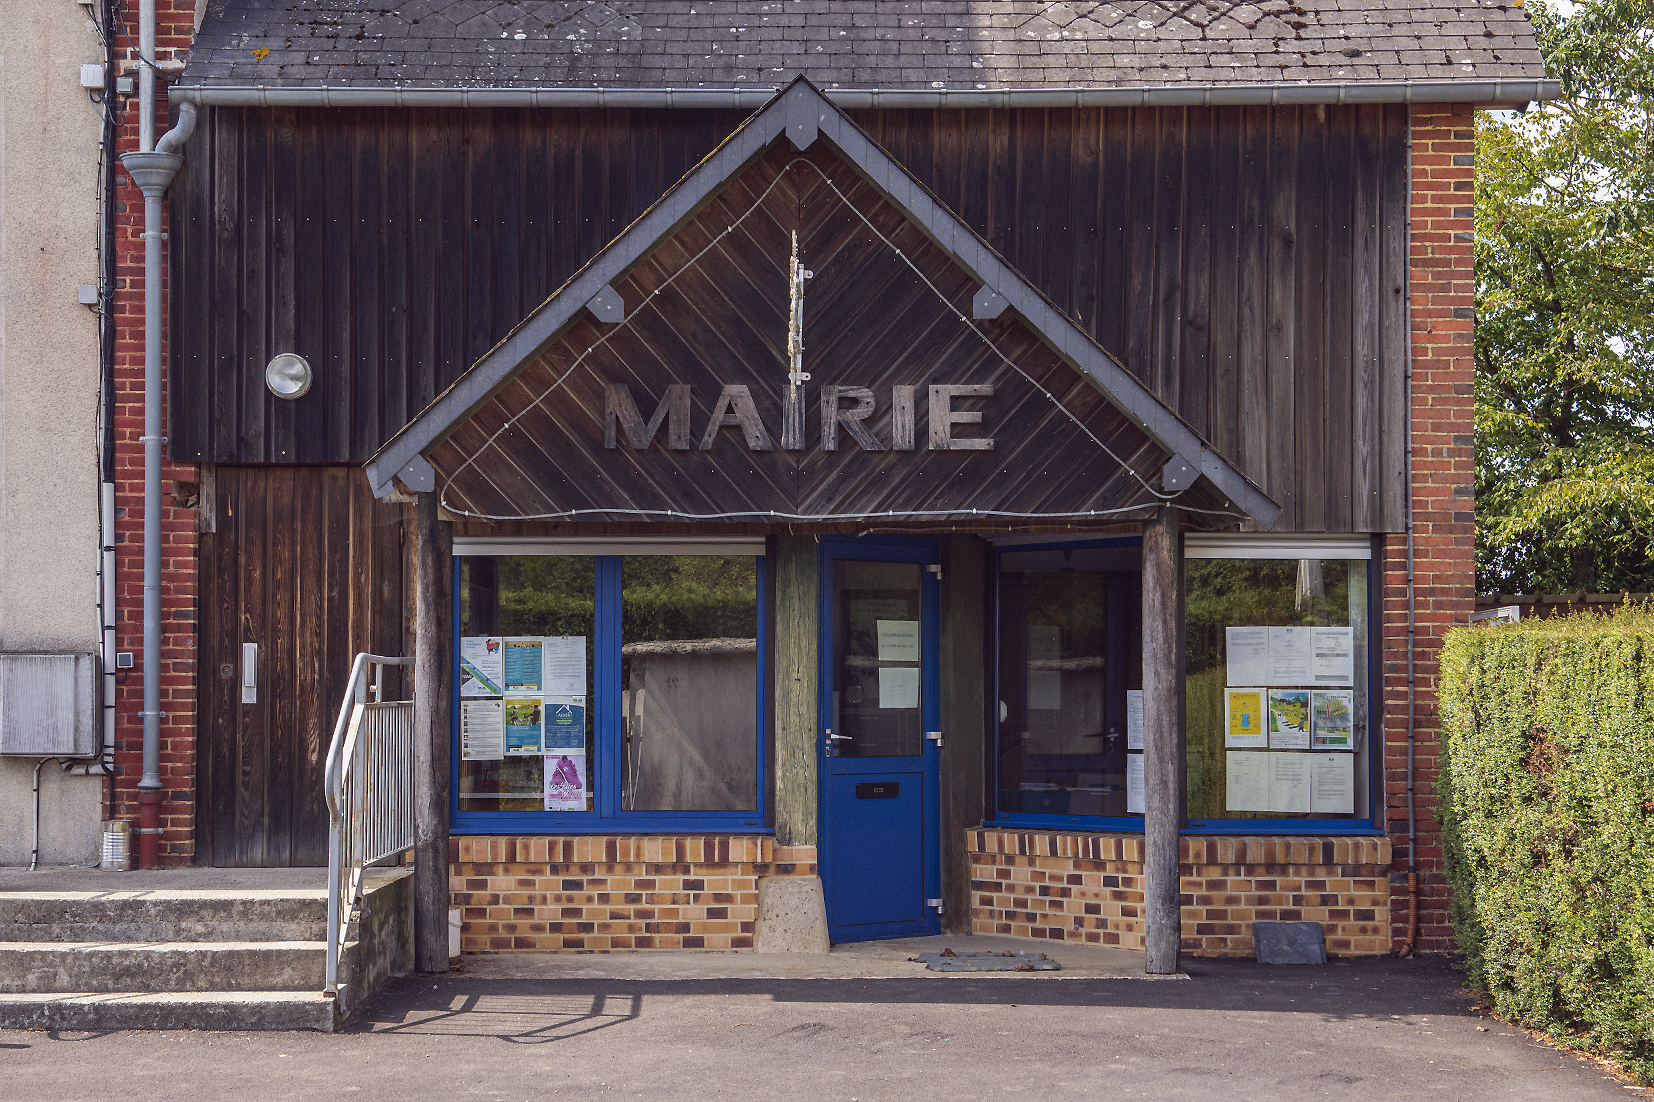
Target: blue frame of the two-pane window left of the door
609,722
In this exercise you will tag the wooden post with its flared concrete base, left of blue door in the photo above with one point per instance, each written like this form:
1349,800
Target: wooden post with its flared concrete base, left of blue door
791,906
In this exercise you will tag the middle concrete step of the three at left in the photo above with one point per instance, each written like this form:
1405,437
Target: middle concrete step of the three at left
108,967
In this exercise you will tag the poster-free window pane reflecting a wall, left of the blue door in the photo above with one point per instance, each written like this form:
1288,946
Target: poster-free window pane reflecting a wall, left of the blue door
689,683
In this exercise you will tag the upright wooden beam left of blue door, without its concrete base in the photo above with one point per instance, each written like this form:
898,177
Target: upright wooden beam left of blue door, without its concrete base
796,729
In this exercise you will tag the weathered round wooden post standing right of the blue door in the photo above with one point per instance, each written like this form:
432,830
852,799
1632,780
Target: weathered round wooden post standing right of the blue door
1162,742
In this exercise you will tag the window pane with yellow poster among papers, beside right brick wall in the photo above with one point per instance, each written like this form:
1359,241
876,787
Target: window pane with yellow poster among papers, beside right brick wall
1278,689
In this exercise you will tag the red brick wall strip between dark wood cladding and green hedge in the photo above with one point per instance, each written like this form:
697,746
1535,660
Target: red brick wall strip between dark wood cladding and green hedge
1443,299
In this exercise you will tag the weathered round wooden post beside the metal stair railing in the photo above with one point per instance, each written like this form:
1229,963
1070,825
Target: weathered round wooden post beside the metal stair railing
434,572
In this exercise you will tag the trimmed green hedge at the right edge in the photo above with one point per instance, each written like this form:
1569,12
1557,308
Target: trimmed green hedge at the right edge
1547,810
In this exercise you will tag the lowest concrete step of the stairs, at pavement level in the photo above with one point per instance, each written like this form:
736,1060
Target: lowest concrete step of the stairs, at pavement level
176,1010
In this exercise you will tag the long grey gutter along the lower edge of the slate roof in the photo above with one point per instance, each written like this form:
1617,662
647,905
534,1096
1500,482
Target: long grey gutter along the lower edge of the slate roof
1493,93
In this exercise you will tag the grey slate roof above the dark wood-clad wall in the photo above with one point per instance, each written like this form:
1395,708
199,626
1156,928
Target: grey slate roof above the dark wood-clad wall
854,44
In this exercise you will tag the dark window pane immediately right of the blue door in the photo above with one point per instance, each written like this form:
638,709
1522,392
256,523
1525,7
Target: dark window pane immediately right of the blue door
1071,678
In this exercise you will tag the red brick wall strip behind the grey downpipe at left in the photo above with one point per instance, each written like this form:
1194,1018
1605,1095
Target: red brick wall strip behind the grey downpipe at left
174,31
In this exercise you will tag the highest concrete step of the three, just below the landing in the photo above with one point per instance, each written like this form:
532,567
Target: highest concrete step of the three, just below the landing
166,916
